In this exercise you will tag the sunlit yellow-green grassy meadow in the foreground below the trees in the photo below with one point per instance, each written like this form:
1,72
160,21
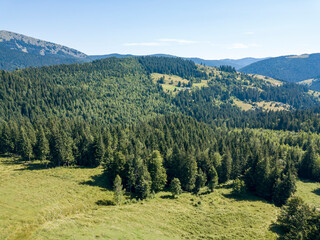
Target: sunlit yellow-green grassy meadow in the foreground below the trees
62,203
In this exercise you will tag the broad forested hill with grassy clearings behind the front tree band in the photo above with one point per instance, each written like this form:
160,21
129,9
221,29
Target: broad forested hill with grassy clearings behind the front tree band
124,90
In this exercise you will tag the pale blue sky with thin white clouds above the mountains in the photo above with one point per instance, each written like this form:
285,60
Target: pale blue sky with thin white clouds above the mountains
189,28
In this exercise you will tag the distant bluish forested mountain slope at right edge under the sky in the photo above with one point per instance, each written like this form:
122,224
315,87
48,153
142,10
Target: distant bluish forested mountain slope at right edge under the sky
287,68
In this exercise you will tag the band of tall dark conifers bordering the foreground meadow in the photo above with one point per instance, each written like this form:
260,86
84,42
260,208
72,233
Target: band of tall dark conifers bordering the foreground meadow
147,156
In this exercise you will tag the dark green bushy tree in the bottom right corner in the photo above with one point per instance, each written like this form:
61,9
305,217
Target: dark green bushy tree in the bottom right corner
299,221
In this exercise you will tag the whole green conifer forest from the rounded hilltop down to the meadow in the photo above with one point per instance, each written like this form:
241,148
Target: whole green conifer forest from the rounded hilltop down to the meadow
112,114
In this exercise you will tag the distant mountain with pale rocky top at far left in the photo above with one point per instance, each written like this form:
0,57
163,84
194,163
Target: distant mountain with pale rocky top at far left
19,51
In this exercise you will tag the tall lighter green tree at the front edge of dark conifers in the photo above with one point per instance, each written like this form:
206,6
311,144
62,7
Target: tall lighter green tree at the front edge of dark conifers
157,171
